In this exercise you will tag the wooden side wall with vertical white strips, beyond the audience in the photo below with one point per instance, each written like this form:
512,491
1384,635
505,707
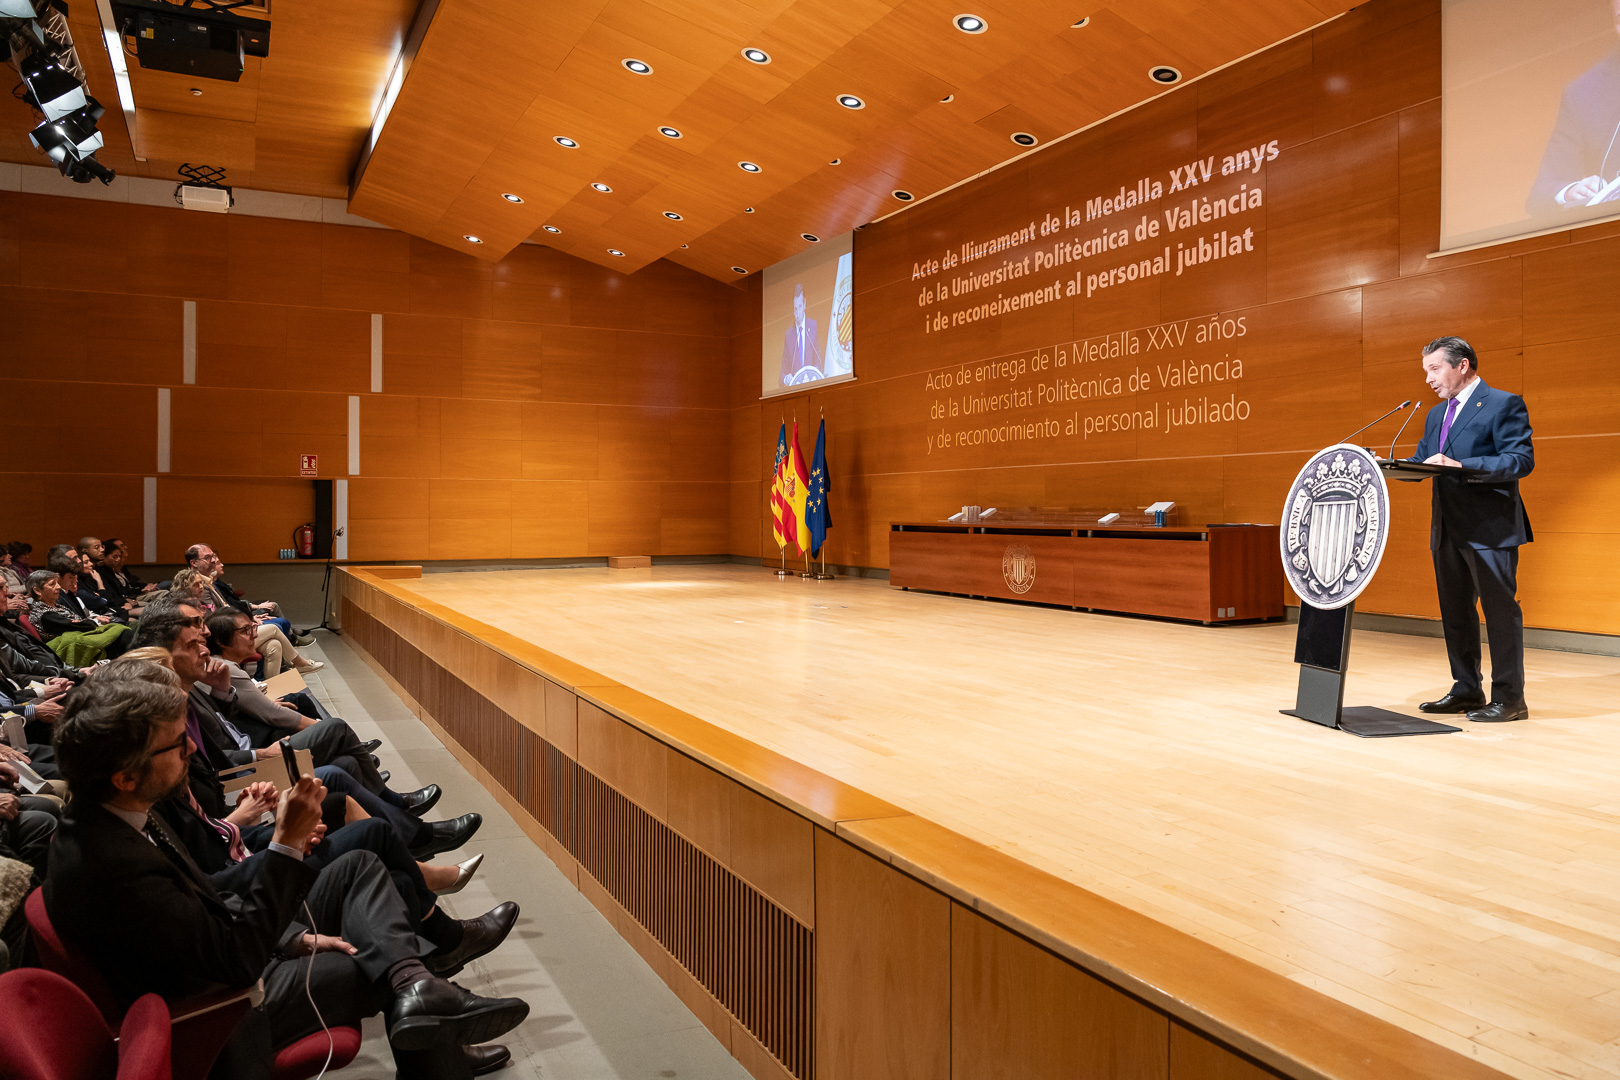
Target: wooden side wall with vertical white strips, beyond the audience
495,380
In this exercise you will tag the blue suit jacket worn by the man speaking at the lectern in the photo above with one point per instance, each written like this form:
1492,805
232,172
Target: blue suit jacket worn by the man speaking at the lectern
1491,435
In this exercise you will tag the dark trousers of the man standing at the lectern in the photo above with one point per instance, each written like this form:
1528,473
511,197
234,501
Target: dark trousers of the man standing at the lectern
1467,576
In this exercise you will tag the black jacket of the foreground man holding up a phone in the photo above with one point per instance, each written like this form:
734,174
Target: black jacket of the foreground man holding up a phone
151,925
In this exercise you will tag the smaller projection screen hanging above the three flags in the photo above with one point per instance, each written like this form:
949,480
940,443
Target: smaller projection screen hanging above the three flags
808,328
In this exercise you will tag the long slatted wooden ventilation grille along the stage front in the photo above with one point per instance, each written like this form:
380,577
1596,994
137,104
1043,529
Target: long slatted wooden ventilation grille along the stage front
736,943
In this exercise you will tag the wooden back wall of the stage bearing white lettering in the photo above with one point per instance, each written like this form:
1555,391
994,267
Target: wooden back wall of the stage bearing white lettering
1336,297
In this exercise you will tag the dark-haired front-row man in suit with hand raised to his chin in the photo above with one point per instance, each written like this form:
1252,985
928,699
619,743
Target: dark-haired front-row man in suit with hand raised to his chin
213,704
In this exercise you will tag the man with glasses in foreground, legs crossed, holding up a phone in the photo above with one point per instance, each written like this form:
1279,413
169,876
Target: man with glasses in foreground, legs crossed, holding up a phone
124,891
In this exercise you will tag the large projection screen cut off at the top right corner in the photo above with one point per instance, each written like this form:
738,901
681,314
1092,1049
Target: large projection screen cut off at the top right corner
1530,117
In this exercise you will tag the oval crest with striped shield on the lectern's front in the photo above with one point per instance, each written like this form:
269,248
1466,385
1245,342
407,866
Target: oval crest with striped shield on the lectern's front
1336,525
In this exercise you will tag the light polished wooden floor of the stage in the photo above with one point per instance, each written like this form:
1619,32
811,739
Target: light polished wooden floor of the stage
1462,887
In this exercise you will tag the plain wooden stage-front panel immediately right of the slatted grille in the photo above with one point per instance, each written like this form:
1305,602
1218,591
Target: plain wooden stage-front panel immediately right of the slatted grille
884,966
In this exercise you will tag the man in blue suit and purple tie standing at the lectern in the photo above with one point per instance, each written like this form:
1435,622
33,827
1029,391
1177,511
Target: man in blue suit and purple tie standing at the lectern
1478,525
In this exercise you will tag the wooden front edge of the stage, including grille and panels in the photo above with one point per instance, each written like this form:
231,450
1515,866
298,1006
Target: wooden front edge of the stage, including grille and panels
822,932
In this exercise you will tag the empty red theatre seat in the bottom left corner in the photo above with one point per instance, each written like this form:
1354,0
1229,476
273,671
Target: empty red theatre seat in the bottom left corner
54,1032
